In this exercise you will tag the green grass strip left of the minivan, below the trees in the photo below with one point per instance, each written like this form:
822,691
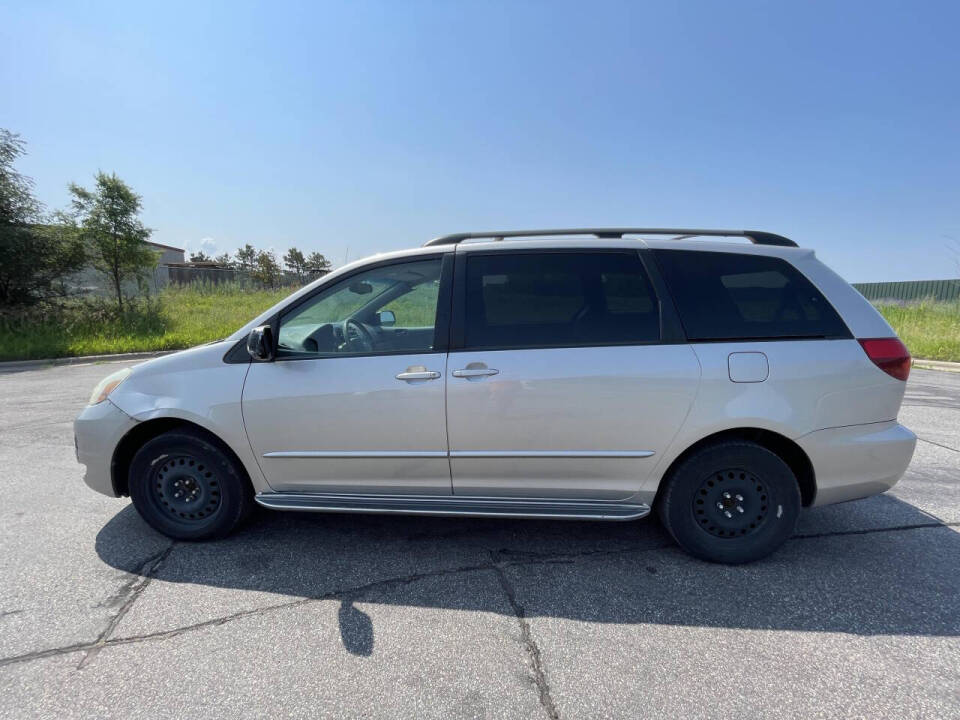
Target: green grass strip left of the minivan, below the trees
179,317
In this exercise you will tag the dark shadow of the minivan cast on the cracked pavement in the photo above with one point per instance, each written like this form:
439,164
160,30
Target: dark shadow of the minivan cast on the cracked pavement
896,575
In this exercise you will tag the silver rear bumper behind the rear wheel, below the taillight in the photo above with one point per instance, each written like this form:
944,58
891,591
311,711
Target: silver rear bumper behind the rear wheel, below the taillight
858,460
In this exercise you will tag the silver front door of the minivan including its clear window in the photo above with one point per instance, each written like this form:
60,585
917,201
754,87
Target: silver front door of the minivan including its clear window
354,402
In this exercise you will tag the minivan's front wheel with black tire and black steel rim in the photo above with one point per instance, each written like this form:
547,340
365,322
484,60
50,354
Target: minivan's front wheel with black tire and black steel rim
186,485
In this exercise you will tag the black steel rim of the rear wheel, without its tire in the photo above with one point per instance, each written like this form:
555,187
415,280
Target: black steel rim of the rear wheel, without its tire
730,503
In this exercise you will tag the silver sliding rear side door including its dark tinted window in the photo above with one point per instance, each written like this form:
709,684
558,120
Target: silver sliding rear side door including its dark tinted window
558,384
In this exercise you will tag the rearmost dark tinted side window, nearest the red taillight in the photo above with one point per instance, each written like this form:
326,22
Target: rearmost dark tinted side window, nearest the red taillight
732,296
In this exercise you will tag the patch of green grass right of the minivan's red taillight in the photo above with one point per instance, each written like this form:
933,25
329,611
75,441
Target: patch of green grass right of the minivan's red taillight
929,330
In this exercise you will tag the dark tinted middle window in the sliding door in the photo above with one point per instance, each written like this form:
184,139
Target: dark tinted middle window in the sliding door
517,300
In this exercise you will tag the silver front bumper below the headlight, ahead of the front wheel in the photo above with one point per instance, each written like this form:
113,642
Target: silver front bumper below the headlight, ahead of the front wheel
96,432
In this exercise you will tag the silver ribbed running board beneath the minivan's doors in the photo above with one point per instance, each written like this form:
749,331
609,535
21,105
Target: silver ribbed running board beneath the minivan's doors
454,505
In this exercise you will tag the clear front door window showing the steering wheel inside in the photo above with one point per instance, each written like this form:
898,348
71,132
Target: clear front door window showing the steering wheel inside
390,309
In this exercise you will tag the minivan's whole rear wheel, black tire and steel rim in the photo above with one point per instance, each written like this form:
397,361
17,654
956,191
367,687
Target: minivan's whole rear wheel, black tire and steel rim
730,502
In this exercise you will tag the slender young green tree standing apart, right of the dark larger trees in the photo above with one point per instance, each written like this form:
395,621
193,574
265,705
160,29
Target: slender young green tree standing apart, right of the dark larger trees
108,219
